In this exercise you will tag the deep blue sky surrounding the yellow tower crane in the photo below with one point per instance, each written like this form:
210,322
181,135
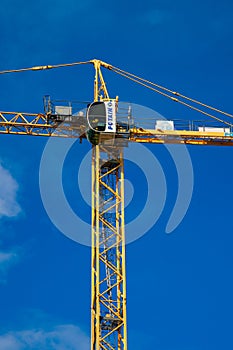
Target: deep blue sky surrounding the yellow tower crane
180,285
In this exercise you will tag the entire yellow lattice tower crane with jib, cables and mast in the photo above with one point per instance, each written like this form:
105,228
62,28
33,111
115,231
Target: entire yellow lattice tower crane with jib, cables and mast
109,135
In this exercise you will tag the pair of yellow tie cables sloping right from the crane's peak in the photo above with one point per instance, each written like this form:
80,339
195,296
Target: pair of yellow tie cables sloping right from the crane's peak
145,83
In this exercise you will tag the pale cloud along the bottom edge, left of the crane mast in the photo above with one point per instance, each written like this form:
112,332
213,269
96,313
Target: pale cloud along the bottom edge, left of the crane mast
61,337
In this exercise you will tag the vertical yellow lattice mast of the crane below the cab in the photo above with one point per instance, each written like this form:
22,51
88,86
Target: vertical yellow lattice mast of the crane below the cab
108,250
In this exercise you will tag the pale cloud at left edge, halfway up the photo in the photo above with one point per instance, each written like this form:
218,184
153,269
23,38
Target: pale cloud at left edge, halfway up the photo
8,189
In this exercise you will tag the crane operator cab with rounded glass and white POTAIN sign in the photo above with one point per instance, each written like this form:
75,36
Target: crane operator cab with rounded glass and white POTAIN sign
104,124
